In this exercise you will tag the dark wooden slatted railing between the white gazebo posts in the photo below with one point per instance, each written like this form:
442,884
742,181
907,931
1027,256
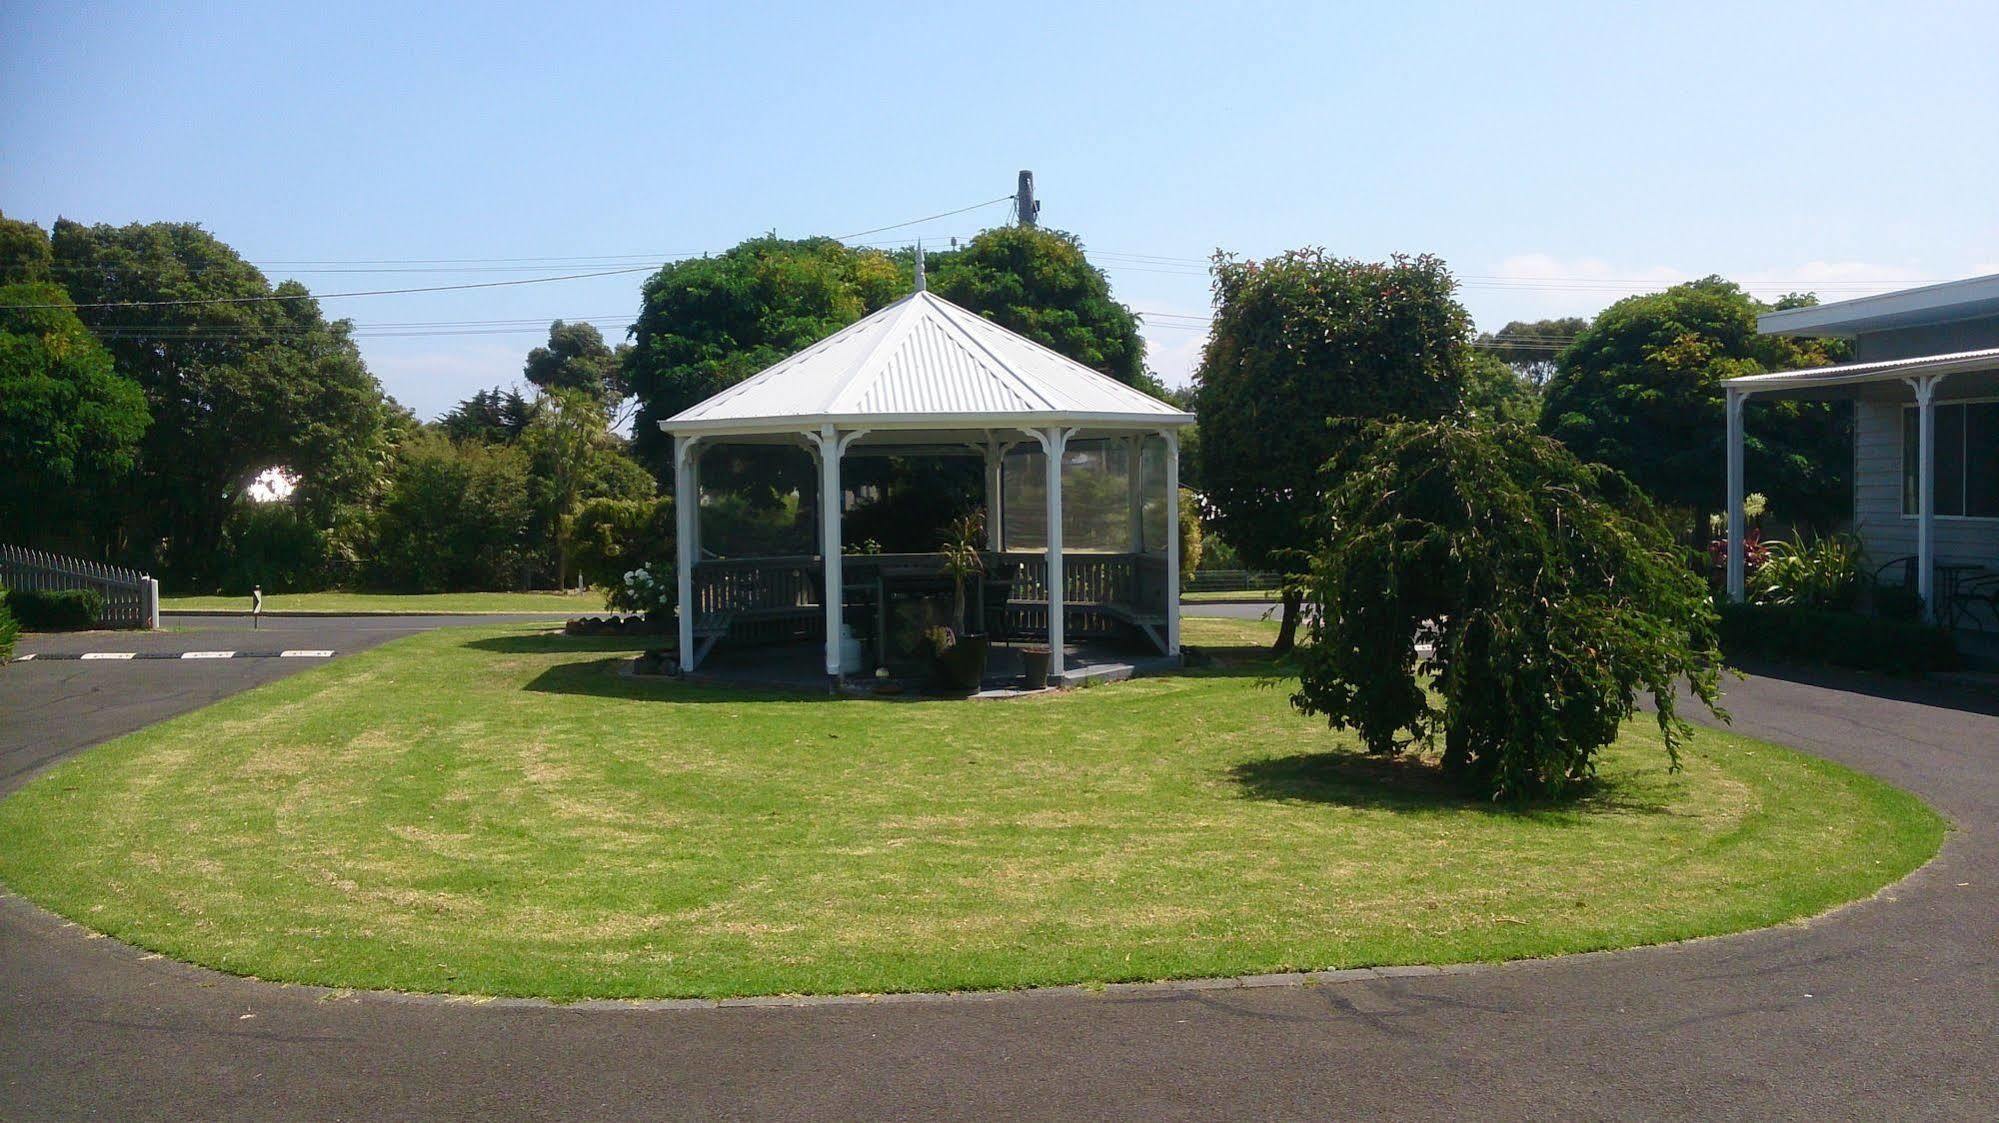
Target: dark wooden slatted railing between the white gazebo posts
775,600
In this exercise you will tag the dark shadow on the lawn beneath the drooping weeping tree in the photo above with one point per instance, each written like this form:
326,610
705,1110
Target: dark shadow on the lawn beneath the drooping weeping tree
1416,784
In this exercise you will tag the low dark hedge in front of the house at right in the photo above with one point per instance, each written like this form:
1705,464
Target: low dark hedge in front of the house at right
1836,638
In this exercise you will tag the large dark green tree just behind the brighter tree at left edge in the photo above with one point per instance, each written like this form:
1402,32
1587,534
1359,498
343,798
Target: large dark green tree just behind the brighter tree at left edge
241,377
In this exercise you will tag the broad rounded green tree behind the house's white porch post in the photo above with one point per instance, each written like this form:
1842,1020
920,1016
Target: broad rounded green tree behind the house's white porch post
1640,391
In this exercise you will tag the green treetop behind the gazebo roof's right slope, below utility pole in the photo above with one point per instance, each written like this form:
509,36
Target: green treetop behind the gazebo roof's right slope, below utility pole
1038,283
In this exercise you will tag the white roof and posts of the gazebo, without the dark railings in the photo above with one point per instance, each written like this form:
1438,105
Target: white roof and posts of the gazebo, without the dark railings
927,377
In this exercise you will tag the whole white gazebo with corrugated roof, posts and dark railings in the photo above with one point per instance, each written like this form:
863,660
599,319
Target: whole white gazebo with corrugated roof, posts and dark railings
929,379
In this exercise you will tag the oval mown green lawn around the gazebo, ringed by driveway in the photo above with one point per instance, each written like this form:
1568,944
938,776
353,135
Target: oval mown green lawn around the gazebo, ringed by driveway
499,812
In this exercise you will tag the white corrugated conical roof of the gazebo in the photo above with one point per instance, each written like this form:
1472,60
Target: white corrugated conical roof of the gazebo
925,367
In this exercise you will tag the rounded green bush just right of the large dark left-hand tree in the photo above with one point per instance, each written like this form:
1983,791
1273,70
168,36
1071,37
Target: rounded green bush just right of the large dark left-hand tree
457,517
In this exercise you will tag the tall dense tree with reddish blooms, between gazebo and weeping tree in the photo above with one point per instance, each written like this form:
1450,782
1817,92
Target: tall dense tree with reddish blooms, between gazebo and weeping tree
1300,343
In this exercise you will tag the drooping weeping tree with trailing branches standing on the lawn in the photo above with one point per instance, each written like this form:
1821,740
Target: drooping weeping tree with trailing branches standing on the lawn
1548,590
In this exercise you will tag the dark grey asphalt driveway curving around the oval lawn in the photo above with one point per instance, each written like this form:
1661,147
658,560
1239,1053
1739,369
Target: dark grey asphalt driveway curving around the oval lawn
1880,1010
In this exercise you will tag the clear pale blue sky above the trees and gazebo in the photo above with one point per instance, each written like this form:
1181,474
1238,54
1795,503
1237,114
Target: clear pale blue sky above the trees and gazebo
1558,155
